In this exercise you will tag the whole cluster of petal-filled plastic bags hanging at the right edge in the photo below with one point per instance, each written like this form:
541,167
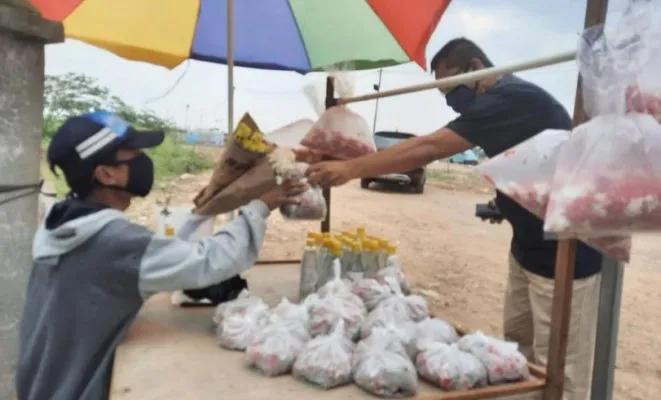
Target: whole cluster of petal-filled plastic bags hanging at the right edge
601,182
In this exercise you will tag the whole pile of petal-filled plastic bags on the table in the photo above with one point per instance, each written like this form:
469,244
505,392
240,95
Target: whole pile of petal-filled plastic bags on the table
363,332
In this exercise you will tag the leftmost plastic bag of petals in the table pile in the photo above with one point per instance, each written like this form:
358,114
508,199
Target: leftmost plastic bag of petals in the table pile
239,331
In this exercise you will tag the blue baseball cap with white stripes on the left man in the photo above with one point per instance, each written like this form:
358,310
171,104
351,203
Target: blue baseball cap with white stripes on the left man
83,142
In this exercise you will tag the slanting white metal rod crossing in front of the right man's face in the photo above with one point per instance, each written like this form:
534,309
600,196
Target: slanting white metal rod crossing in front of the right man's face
467,77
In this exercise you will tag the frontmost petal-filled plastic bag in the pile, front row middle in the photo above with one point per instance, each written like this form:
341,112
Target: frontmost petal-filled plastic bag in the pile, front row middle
384,372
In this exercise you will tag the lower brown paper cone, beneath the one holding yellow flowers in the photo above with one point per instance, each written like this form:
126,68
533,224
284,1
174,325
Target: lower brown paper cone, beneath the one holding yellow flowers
253,184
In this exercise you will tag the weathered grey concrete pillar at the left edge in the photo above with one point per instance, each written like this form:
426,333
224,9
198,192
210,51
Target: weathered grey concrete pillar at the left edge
22,38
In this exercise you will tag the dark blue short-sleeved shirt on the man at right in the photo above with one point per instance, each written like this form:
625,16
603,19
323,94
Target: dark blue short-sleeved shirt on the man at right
507,114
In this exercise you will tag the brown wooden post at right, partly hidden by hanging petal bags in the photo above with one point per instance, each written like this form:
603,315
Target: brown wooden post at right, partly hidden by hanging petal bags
595,14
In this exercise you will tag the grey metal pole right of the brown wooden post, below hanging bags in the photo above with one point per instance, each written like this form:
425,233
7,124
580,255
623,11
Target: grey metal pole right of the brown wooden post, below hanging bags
608,325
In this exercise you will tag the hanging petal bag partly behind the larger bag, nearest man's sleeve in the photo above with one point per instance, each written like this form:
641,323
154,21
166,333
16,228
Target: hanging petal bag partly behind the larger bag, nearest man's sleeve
525,174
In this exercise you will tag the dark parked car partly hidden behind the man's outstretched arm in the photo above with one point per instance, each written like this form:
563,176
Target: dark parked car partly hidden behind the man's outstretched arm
415,180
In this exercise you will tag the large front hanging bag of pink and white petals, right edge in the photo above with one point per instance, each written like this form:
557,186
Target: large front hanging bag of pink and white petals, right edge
608,178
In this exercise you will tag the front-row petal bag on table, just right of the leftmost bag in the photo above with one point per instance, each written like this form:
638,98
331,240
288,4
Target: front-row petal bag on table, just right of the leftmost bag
275,350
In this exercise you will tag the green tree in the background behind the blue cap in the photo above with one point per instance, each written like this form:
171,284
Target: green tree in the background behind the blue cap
73,94
